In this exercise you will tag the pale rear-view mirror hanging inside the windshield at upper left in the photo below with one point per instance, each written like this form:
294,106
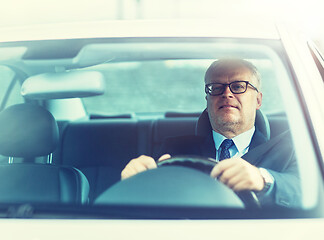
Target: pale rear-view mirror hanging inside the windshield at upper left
64,85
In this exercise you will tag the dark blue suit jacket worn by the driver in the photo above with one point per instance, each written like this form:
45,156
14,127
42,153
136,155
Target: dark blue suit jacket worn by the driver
276,155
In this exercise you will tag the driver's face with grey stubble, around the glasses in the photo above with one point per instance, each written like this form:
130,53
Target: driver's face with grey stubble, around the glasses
232,114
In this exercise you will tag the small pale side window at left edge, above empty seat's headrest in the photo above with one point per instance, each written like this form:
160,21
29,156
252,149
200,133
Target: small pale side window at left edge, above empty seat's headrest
10,88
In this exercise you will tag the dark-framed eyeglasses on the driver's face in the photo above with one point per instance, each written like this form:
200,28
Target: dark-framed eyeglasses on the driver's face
237,87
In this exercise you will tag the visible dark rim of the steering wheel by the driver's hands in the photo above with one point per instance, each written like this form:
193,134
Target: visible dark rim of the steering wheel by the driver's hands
205,165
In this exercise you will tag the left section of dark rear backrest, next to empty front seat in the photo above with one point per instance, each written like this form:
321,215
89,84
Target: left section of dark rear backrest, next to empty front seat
100,149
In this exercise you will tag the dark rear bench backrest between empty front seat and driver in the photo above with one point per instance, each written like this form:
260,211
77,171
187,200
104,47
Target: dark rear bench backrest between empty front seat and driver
102,148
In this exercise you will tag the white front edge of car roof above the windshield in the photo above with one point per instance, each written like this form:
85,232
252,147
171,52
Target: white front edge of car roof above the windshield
236,28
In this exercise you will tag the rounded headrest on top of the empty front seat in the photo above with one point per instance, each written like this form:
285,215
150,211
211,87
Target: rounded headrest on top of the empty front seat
26,131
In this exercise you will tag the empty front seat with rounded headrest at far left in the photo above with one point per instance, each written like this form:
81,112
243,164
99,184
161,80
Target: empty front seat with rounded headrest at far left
28,131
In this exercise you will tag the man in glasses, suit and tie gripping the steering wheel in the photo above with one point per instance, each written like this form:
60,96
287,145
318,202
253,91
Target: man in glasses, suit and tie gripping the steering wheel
247,161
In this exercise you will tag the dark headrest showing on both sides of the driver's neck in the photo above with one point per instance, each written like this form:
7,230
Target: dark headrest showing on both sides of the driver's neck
203,126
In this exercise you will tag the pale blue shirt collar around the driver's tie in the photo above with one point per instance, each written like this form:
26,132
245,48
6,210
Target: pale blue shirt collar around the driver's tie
241,141
